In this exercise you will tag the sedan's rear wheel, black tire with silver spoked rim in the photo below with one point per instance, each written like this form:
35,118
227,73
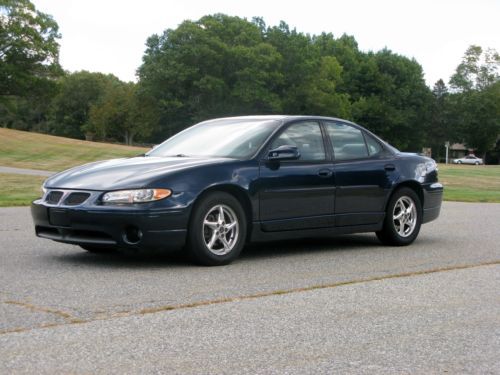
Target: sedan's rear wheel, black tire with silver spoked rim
401,232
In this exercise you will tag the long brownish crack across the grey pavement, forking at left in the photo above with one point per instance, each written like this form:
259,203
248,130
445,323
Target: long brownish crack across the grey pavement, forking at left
71,320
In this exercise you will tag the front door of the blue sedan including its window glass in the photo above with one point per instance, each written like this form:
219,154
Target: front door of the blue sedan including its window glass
298,194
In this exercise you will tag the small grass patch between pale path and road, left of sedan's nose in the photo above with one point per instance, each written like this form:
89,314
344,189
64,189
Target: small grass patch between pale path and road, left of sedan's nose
19,190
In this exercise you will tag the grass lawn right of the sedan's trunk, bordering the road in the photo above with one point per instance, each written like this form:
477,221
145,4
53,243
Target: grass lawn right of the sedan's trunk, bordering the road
470,183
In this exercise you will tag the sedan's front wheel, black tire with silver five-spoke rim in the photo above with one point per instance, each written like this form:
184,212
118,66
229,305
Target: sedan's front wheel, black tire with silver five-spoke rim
211,239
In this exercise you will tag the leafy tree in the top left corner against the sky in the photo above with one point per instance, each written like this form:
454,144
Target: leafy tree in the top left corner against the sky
29,51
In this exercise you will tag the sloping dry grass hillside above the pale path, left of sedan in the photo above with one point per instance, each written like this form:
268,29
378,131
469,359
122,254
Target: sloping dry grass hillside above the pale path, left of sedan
39,151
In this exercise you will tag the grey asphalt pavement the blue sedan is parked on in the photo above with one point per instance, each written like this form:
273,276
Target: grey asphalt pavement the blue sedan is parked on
337,305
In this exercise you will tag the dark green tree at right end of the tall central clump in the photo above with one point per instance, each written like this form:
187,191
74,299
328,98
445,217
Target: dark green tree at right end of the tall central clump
393,99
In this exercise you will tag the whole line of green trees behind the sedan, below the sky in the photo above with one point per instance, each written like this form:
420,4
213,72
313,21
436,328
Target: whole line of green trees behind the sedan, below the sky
221,65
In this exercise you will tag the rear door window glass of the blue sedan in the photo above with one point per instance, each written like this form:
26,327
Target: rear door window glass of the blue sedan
347,141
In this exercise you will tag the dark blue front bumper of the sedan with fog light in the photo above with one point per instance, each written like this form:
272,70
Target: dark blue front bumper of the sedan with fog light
139,229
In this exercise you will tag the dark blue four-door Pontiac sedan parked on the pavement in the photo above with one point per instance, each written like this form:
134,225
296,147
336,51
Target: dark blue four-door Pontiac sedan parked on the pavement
222,183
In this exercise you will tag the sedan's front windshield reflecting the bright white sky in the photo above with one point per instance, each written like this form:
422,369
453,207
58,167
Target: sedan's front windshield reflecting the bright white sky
232,138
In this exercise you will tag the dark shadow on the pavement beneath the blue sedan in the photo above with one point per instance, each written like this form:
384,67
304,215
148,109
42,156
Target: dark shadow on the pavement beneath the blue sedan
179,259
